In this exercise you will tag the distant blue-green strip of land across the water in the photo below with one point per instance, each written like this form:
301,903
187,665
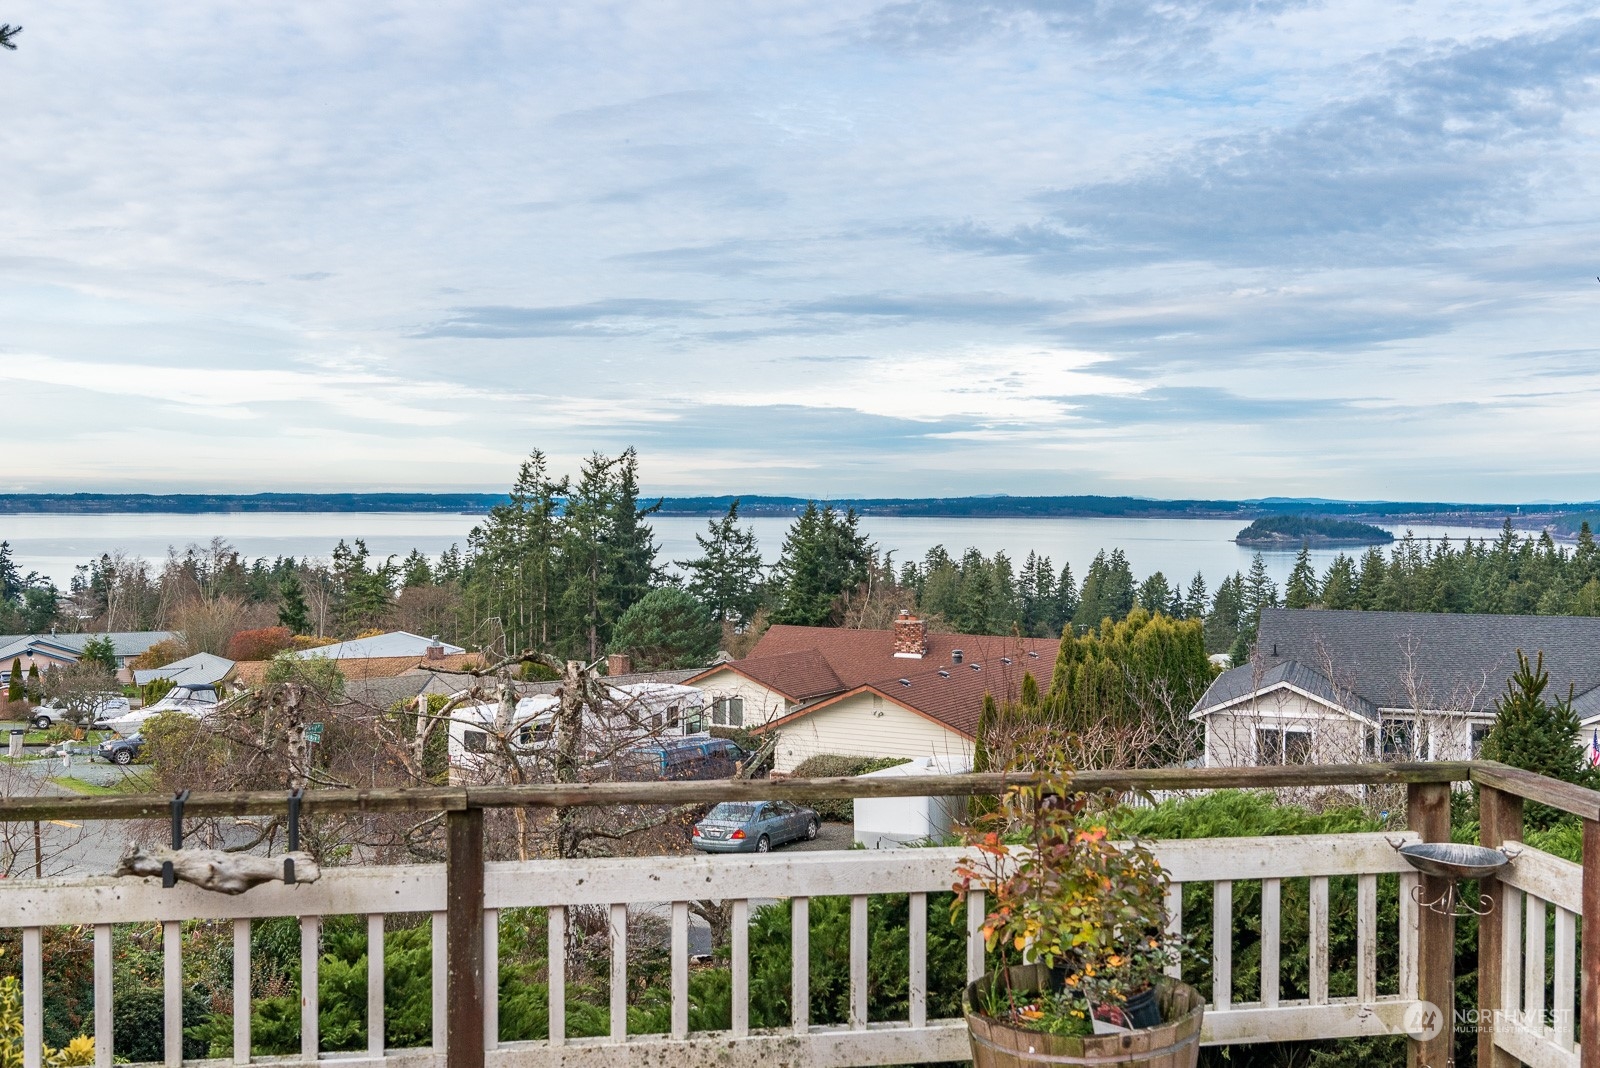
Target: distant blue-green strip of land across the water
1561,517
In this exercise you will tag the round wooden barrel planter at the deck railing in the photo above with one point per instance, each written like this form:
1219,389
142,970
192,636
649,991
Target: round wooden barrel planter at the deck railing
1001,1045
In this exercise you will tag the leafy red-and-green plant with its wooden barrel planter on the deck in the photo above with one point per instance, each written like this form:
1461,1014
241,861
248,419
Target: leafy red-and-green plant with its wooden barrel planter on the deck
1086,922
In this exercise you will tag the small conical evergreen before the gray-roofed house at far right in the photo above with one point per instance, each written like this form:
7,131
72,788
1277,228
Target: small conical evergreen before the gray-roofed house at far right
1537,735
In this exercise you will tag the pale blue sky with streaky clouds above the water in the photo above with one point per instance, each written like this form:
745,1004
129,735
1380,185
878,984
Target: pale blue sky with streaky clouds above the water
1196,249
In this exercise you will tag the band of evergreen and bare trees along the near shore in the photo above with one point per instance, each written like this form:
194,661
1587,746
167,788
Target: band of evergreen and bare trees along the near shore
570,565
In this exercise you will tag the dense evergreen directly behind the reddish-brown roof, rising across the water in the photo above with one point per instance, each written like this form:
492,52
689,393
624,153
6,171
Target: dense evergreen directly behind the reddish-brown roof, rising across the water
825,554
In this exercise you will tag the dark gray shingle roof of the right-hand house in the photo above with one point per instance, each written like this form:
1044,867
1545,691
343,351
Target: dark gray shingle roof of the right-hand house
1417,660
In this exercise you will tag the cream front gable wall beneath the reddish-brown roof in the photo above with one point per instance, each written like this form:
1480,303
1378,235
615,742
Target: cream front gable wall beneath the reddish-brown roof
854,728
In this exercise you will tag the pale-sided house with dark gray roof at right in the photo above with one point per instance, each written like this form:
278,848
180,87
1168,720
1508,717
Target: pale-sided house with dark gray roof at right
1335,687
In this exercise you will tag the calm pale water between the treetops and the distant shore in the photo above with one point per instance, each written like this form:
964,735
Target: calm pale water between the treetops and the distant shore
55,546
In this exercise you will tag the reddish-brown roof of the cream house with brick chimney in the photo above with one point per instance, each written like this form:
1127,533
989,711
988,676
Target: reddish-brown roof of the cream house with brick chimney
793,661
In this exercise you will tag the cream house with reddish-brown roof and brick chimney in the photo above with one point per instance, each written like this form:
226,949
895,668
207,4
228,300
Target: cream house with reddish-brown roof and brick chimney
871,693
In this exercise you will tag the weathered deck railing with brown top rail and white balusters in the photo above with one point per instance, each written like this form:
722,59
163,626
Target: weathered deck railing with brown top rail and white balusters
466,896
